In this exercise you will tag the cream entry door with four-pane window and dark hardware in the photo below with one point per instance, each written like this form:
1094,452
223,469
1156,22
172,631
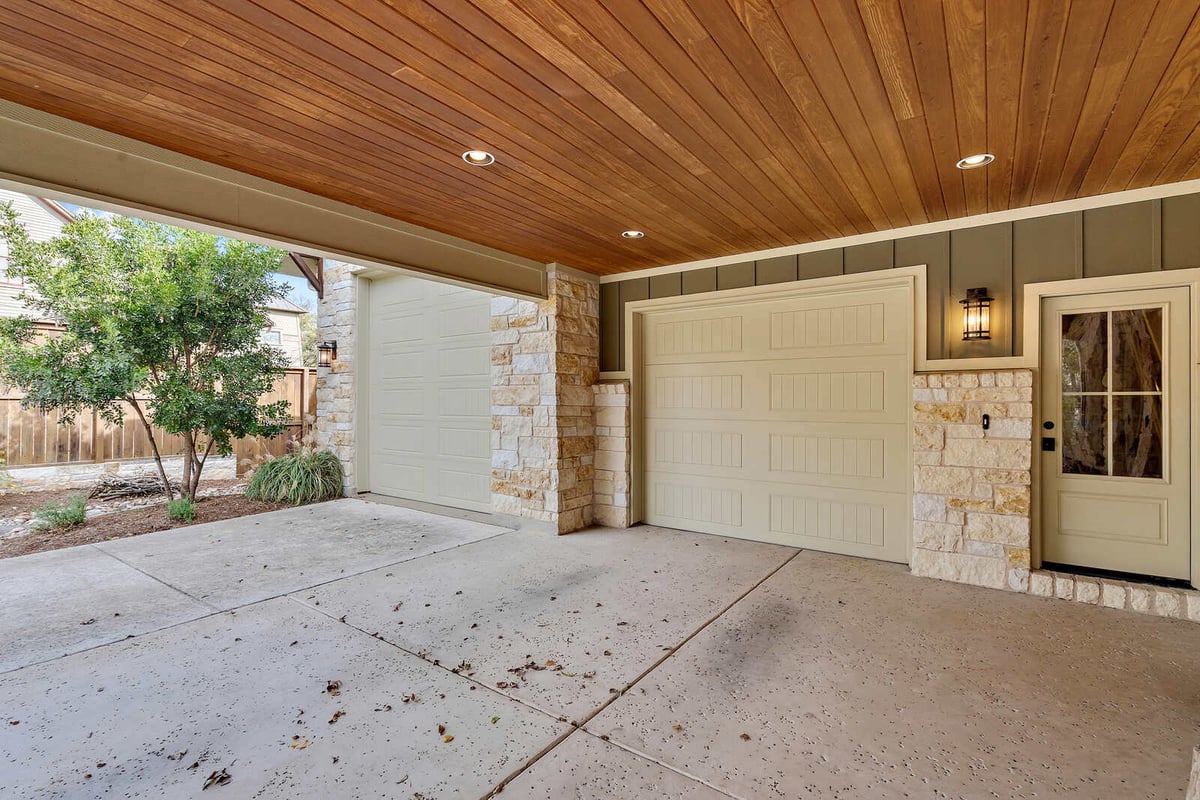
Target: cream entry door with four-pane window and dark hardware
1117,432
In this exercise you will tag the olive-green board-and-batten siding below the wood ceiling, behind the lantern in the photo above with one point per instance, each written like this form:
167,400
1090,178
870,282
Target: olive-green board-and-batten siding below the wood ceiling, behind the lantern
1144,237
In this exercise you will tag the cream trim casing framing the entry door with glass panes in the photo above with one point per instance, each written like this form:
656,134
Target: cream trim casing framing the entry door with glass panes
1035,293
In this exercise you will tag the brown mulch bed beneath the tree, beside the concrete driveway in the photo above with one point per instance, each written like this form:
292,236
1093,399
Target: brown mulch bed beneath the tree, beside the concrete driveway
129,524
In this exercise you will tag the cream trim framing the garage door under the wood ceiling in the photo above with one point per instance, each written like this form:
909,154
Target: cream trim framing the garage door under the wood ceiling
913,279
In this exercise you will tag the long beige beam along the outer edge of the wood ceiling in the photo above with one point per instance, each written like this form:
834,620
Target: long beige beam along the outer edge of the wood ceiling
56,158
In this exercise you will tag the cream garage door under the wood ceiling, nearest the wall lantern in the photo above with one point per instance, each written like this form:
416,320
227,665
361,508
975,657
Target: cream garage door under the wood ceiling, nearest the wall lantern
783,420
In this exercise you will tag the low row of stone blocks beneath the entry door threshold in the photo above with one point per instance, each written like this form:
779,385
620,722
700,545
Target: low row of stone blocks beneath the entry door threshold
1144,599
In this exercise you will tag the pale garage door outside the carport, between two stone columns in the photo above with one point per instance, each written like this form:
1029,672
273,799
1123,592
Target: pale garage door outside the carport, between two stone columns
430,377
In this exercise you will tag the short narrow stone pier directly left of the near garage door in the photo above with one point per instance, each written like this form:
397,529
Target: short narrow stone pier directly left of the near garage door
613,466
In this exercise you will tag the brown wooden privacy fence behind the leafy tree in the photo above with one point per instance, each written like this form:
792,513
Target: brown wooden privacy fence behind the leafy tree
32,438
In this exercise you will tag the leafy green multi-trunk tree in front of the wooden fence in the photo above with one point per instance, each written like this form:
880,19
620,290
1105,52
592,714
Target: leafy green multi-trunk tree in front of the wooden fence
155,321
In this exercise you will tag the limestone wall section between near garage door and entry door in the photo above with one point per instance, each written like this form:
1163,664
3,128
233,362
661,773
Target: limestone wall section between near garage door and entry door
971,502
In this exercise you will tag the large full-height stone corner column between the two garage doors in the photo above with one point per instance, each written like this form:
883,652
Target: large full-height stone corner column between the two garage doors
545,360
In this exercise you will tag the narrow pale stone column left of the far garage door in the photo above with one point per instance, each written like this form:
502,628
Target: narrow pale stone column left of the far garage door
337,402
